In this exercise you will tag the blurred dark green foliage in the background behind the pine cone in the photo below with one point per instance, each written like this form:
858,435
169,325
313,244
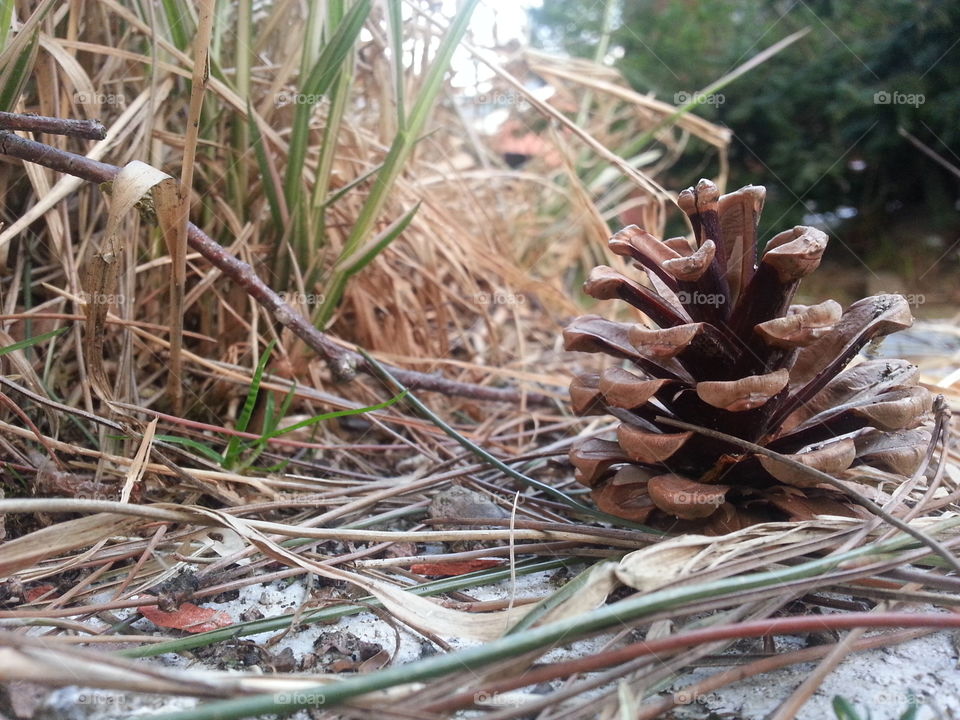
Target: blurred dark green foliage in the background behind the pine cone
811,123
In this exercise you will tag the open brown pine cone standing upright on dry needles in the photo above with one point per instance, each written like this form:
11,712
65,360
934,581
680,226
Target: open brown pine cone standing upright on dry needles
732,354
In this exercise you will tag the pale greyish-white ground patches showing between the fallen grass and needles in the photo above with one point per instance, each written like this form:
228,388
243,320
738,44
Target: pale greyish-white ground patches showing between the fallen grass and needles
878,680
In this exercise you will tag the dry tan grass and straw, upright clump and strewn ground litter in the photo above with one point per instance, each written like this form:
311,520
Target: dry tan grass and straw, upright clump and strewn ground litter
105,506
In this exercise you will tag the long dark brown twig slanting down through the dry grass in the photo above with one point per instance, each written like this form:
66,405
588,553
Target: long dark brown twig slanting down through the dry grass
343,363
